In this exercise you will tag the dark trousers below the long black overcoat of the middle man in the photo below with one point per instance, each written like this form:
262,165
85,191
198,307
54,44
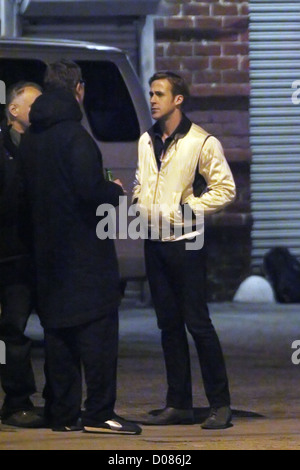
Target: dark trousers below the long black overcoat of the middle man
95,346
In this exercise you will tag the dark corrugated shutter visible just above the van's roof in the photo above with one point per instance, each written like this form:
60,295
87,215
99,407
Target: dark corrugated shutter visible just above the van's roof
122,32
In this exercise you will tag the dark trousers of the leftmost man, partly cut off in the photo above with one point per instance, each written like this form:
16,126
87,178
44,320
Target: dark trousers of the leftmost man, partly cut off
17,375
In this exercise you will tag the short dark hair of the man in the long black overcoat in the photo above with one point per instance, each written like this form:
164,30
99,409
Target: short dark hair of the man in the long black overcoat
62,74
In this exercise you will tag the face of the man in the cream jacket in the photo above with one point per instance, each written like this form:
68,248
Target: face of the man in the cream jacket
163,102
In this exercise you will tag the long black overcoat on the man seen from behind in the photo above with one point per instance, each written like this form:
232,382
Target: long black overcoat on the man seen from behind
77,275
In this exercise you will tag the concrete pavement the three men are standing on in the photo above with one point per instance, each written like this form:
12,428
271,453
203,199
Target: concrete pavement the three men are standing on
257,342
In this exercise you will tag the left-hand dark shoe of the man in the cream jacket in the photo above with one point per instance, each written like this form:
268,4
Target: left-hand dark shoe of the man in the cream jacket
170,416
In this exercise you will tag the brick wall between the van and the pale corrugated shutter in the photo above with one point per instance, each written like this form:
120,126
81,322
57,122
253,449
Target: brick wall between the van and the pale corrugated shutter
207,42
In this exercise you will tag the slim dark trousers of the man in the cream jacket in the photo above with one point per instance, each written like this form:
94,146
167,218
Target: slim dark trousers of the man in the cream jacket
177,279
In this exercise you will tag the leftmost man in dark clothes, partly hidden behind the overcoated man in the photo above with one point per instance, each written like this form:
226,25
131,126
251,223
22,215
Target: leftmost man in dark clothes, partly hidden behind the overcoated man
17,376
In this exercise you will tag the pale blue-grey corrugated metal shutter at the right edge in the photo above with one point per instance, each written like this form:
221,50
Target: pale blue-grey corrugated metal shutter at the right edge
275,125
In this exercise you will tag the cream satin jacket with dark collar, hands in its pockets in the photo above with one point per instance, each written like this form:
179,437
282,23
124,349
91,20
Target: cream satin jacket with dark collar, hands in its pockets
167,190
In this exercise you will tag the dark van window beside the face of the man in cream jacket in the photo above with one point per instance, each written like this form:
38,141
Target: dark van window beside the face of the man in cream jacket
107,103
